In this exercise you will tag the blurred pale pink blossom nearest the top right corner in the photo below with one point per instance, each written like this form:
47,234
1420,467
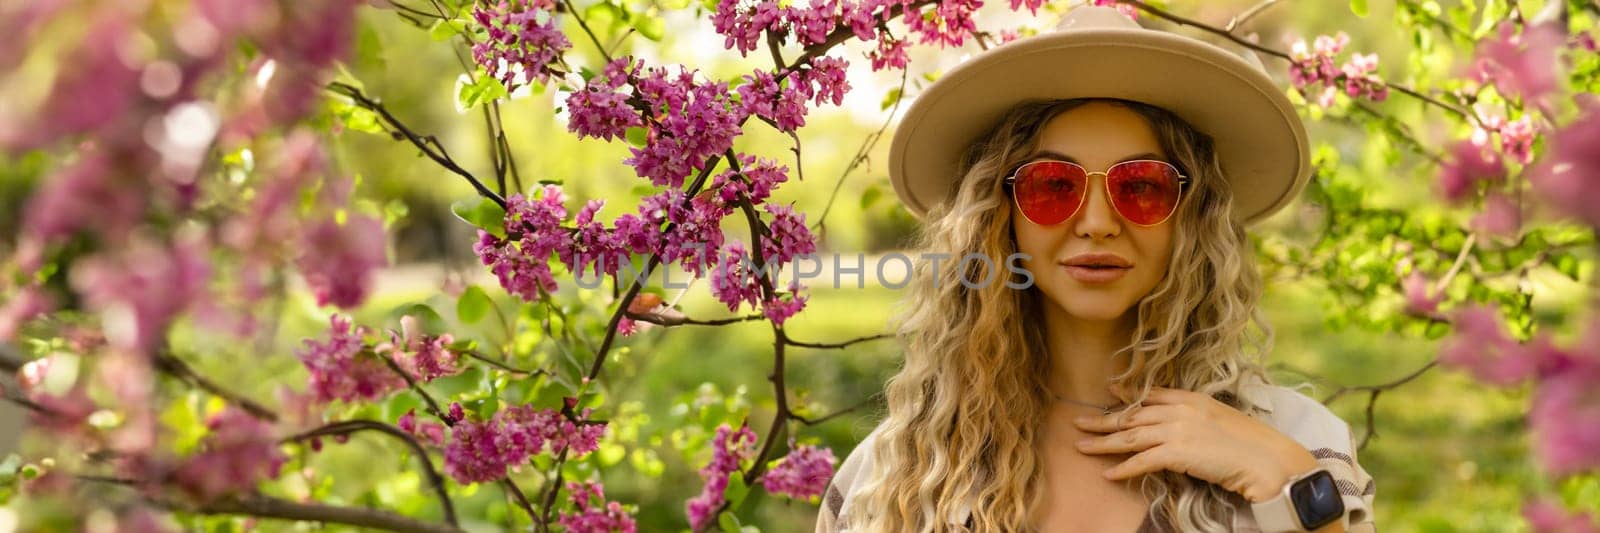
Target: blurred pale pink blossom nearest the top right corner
1524,65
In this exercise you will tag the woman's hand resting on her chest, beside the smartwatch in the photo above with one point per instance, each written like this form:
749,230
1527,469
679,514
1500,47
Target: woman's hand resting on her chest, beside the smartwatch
1191,433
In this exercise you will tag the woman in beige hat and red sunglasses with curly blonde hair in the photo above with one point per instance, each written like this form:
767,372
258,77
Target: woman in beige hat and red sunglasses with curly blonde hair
1105,387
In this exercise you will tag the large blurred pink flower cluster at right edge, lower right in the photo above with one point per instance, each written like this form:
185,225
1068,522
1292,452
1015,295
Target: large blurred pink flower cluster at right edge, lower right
1566,415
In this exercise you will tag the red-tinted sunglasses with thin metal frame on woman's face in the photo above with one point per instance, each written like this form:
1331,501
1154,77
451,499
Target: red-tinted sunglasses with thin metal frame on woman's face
1143,191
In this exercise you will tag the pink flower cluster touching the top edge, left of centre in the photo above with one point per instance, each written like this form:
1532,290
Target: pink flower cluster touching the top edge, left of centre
522,42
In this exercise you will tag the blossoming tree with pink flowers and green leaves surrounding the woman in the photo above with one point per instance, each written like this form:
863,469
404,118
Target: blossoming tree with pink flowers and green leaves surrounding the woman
177,177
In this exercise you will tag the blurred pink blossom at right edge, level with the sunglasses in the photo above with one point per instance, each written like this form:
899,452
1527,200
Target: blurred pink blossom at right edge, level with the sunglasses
1569,175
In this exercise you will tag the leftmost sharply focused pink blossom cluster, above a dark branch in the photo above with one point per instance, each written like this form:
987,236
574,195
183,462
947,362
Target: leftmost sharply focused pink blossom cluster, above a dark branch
343,369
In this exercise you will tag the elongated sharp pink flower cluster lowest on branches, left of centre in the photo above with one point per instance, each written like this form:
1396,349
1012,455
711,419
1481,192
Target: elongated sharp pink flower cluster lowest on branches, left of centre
482,451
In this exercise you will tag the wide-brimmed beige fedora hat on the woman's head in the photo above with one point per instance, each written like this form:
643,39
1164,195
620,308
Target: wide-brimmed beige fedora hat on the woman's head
1098,52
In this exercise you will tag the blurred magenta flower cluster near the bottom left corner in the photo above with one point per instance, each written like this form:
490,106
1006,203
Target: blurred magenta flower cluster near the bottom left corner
236,455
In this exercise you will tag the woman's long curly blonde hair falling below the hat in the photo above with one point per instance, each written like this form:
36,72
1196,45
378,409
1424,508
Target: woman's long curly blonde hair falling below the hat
964,411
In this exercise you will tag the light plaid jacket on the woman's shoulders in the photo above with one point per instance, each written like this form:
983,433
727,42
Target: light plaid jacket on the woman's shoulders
1308,422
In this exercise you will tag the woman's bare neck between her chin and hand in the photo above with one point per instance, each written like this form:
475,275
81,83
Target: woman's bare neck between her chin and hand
1081,355
